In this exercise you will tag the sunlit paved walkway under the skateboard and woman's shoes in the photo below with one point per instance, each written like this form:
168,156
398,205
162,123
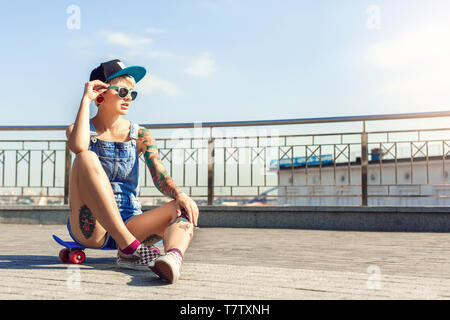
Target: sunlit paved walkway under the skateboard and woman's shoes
237,264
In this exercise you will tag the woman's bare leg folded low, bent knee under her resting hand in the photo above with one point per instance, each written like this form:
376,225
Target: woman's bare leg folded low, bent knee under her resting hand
176,231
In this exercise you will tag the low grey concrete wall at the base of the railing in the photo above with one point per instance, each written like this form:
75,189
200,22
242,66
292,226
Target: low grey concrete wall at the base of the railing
408,219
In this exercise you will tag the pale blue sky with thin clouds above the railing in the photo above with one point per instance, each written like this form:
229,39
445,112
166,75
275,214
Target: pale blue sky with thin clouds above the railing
228,60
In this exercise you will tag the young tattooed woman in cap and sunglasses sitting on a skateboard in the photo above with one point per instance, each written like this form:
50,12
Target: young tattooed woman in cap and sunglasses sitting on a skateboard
104,210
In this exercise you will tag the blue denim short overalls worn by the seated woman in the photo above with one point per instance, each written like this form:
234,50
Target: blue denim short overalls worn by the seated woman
121,164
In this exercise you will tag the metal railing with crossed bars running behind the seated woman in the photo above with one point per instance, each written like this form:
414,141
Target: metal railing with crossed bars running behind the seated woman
263,168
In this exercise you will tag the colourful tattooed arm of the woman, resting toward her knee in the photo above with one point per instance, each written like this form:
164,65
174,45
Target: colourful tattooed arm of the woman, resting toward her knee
163,182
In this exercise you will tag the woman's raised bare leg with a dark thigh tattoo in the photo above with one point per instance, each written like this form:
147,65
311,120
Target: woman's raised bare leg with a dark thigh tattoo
93,208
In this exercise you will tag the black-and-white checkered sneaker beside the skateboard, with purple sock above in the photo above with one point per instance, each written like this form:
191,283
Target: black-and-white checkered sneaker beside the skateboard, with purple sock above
142,259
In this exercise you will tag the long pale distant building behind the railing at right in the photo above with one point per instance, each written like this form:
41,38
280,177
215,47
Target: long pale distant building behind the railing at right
403,182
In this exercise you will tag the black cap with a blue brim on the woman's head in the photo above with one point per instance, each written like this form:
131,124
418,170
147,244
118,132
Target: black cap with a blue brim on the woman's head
115,68
